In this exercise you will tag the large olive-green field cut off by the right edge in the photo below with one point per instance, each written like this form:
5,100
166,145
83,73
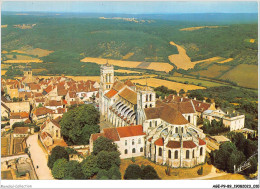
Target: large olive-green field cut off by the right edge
244,75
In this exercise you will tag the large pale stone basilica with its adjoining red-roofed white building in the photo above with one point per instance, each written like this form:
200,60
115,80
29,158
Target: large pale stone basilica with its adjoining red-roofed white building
170,137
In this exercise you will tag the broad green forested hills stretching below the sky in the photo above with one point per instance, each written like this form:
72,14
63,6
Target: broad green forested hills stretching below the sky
72,37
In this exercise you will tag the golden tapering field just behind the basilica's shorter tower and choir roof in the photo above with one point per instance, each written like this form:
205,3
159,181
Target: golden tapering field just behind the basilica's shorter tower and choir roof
154,82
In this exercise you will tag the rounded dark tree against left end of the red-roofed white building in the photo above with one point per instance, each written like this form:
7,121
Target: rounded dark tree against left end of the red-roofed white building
104,144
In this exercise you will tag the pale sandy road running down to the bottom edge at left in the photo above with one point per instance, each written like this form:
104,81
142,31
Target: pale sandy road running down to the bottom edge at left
39,158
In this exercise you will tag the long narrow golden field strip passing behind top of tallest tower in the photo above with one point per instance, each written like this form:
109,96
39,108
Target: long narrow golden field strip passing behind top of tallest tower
158,66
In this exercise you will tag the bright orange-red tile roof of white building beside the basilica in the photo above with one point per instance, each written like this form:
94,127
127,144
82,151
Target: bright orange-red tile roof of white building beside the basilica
130,131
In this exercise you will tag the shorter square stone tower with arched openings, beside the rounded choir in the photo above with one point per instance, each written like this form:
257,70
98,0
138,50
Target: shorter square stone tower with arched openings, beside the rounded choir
145,99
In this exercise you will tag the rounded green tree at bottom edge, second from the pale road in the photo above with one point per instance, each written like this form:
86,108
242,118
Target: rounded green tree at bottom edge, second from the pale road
74,170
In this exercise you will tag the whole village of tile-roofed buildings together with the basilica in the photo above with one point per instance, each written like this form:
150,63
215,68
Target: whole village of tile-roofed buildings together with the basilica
165,131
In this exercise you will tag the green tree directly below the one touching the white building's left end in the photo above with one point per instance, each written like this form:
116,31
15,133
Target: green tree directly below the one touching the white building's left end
107,159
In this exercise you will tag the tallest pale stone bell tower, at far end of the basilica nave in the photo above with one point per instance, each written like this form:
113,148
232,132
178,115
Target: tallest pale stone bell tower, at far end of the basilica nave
106,83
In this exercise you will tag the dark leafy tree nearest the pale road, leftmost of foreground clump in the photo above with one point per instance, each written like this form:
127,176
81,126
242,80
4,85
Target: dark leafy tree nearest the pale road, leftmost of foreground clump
57,152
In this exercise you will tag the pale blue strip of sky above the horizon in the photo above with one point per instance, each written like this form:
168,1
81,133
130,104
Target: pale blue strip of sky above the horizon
133,7
